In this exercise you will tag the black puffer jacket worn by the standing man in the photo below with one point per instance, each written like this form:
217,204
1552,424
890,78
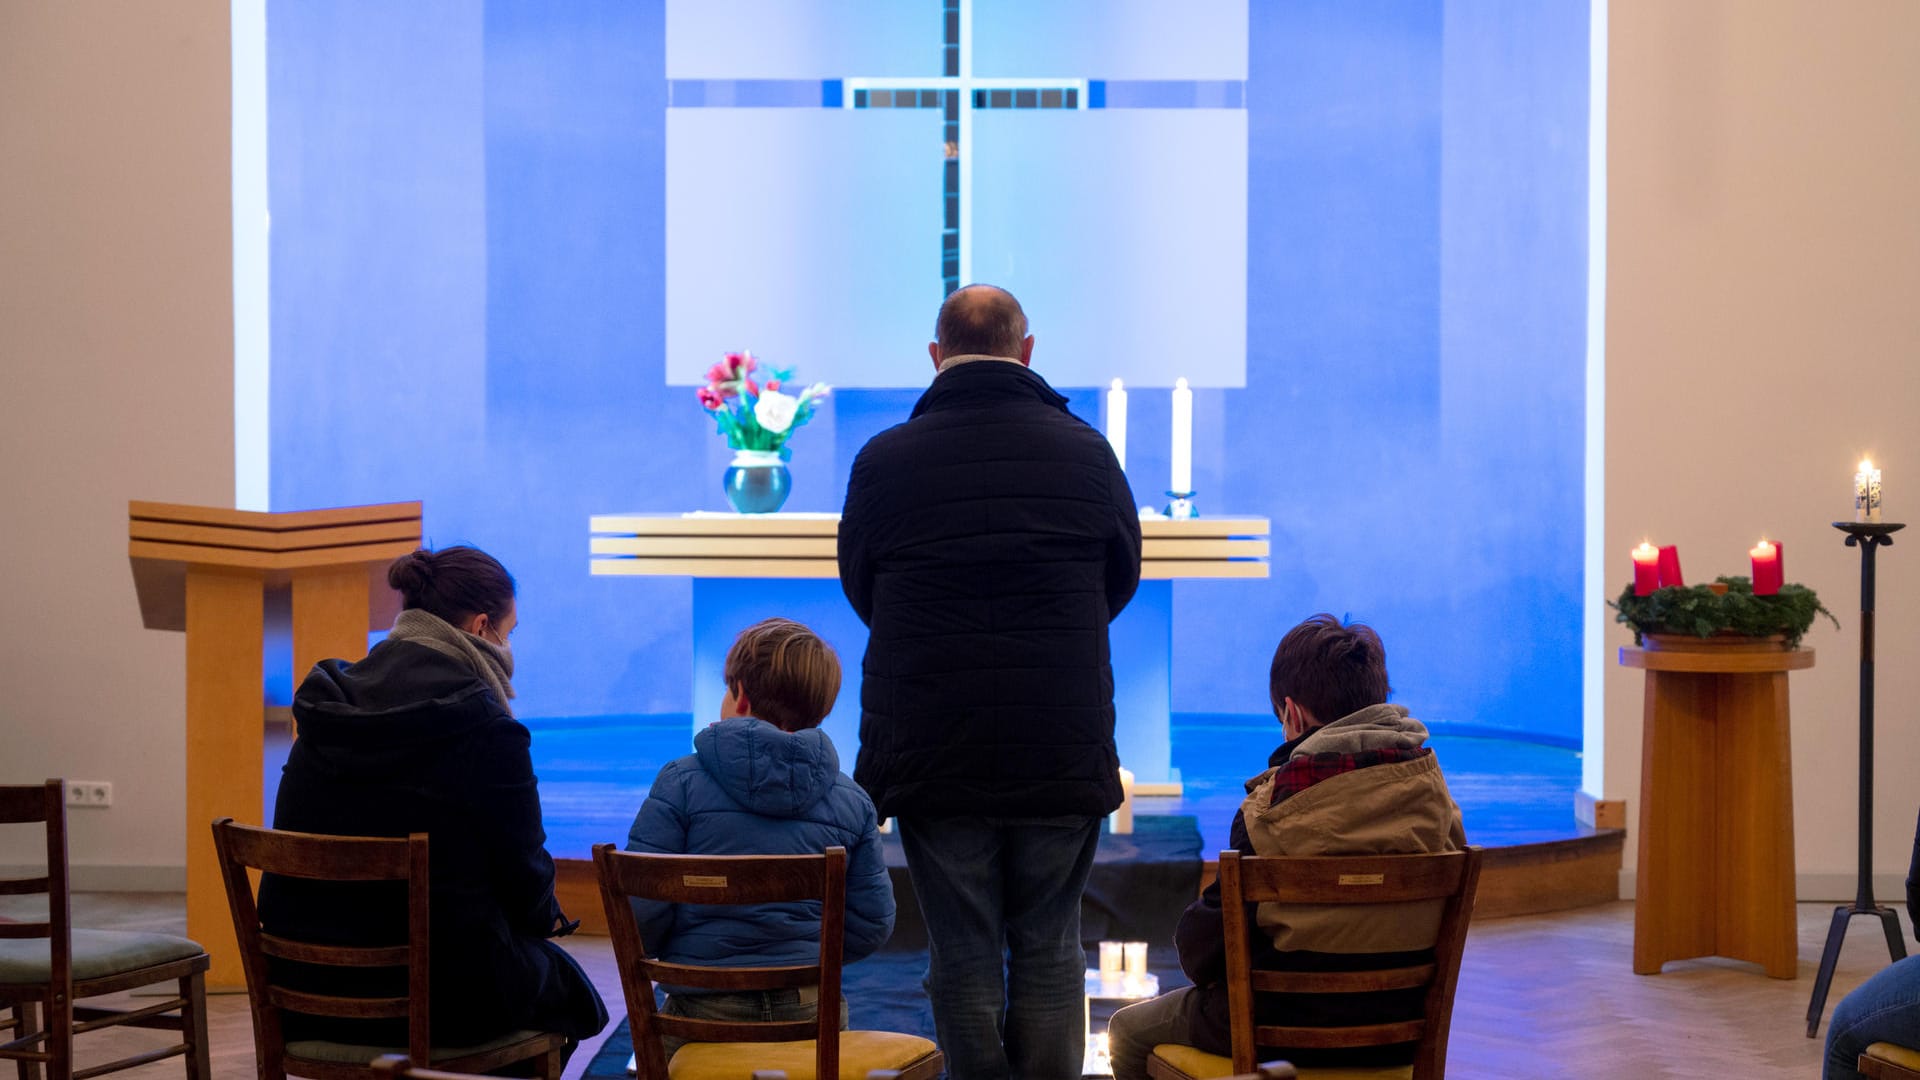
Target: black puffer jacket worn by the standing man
988,543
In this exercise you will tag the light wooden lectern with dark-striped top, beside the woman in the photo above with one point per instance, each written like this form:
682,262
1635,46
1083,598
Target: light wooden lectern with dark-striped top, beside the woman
214,574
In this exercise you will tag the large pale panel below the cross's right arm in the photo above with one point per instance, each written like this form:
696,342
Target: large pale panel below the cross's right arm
1124,235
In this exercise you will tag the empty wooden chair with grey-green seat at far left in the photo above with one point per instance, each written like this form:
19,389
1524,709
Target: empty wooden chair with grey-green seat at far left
51,966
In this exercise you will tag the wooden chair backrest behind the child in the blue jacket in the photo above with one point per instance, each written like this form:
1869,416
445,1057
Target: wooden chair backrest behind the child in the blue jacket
725,881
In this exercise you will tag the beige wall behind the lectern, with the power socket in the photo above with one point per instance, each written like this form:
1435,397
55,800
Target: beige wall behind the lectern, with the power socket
116,381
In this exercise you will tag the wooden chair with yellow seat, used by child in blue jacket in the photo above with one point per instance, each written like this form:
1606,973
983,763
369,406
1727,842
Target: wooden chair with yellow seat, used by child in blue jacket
804,1050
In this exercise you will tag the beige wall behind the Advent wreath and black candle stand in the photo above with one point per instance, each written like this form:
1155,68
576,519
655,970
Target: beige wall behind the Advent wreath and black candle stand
1764,333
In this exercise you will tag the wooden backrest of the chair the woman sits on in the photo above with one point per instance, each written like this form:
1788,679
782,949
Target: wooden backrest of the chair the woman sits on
333,860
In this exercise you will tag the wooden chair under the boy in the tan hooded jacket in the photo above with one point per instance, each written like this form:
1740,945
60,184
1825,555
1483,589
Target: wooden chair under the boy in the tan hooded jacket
1335,881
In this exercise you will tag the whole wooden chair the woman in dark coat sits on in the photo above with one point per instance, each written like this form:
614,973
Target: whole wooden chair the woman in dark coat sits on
348,860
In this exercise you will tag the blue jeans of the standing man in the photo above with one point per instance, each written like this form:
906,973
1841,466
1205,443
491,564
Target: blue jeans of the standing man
1007,970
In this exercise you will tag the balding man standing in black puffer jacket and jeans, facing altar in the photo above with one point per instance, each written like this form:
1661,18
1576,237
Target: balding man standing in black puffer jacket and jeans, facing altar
988,543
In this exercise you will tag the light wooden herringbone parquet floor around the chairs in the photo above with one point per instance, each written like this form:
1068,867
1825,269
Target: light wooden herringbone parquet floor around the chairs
1541,996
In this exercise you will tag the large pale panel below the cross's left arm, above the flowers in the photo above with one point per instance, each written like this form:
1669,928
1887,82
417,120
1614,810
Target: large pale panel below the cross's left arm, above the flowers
809,235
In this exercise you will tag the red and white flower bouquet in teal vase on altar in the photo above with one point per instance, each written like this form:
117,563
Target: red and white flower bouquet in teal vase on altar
757,418
